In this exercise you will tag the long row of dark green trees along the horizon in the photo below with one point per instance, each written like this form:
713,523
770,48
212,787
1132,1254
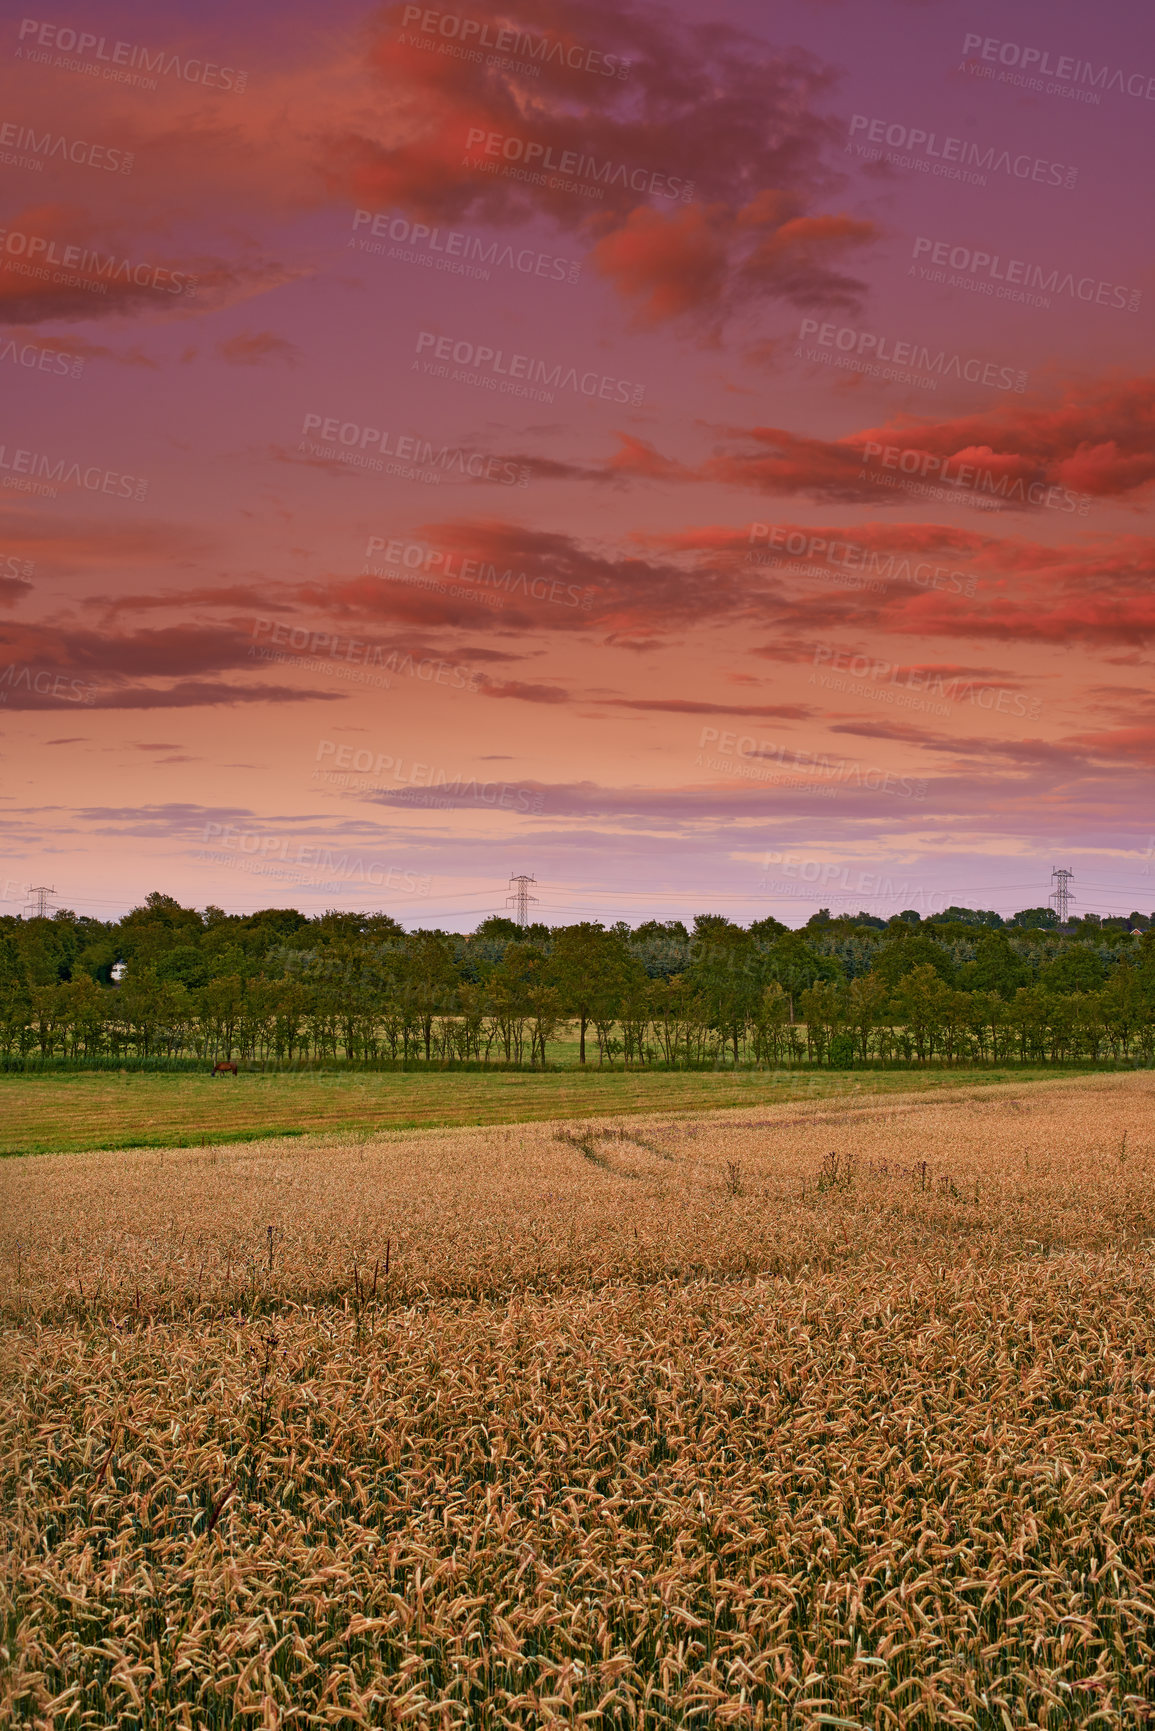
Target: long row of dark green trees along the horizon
169,982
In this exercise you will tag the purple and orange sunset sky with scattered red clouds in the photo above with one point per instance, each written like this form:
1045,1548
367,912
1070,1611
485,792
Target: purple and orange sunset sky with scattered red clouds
699,458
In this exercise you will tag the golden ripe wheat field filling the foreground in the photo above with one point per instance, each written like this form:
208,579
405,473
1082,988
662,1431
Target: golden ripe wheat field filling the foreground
827,1413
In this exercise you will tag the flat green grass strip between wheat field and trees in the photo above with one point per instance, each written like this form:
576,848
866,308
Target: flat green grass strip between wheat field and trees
84,1110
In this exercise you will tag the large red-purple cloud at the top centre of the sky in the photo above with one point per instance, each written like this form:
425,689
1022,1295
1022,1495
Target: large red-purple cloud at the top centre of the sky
707,162
